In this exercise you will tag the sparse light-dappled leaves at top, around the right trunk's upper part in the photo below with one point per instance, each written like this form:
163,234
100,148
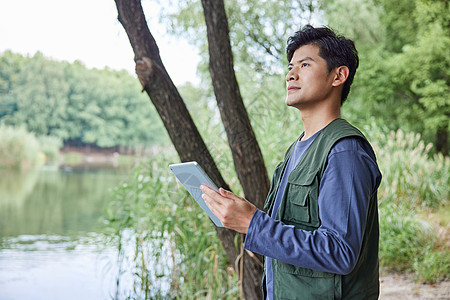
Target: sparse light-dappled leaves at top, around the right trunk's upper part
258,30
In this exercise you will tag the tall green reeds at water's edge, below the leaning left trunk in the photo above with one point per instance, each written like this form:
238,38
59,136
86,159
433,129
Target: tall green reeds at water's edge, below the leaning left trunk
173,250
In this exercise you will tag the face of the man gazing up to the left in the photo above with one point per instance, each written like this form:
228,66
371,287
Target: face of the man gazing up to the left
308,81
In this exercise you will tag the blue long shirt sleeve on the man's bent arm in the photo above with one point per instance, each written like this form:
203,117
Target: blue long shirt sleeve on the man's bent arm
348,182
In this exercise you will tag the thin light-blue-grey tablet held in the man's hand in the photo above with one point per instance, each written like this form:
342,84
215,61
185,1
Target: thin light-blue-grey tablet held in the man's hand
192,176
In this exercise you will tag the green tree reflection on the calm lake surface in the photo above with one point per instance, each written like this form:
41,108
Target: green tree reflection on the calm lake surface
49,202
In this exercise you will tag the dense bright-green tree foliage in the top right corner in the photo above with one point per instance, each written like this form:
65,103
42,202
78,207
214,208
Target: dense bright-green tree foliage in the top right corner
406,85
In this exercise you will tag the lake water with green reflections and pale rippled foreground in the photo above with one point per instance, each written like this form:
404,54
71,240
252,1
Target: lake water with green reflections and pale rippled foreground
52,244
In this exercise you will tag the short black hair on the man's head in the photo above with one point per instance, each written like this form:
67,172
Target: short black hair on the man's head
336,50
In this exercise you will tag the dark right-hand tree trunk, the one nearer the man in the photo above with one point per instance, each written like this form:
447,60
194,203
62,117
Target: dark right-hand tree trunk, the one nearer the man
247,156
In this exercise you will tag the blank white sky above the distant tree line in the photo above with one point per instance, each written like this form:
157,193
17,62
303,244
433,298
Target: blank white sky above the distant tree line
88,31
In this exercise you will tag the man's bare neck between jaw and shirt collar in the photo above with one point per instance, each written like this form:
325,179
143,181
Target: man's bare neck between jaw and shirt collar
315,120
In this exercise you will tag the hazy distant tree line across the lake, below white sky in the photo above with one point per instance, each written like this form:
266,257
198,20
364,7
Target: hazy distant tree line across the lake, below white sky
81,106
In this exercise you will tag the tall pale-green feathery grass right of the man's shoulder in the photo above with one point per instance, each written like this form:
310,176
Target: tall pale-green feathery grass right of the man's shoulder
412,176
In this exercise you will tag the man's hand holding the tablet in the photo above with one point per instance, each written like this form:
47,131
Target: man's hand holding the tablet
233,211
